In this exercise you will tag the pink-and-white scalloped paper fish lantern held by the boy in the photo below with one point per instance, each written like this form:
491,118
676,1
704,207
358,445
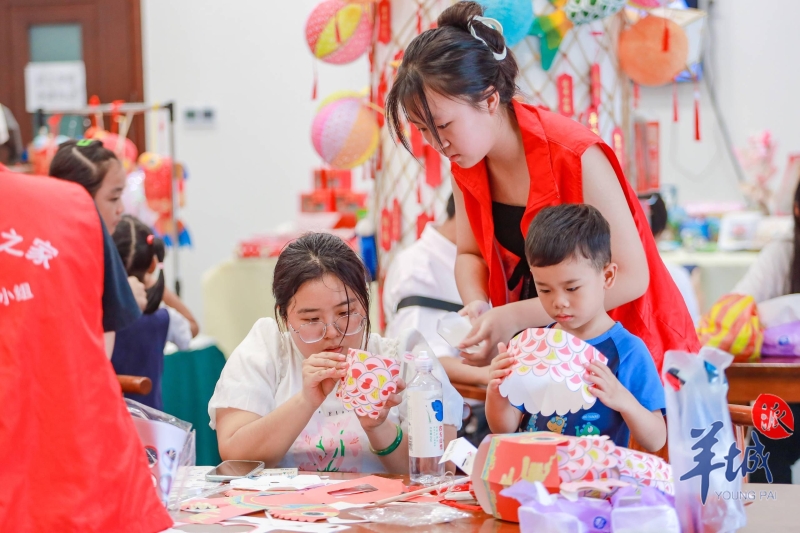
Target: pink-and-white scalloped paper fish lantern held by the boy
548,374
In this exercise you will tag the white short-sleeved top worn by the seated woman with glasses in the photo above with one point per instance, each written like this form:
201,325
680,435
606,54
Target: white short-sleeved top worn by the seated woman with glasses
265,370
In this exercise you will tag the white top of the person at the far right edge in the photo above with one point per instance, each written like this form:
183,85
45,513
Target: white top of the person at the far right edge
768,277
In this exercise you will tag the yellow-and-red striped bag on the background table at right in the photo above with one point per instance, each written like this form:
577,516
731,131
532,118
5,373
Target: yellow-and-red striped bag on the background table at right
732,325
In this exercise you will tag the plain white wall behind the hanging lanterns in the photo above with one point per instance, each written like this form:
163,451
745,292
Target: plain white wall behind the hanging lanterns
249,61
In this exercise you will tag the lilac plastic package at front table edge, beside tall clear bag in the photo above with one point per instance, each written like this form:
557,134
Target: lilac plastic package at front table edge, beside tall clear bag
643,510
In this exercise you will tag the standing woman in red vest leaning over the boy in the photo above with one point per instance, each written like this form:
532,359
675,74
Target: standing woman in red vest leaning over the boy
457,84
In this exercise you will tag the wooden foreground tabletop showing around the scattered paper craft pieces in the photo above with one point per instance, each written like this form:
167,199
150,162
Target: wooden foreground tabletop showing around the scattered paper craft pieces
762,514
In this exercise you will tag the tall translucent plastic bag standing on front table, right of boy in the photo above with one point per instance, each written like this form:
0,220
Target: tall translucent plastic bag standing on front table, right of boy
700,437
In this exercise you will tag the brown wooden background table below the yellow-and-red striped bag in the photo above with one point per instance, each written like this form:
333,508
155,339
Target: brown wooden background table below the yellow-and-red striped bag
774,375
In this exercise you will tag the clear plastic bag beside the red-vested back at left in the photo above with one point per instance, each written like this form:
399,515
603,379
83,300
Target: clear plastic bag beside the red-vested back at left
169,443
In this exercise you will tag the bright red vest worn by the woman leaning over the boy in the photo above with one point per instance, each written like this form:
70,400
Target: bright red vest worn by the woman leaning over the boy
553,148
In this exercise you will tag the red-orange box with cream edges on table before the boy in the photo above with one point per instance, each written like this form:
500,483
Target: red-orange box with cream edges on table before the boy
502,460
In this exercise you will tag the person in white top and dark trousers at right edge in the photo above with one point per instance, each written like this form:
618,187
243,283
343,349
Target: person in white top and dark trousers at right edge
775,273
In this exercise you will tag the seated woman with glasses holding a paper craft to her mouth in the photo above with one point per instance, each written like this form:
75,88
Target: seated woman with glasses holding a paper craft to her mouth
275,400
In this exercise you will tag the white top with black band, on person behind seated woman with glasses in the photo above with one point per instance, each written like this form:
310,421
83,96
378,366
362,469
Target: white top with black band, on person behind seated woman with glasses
426,268
